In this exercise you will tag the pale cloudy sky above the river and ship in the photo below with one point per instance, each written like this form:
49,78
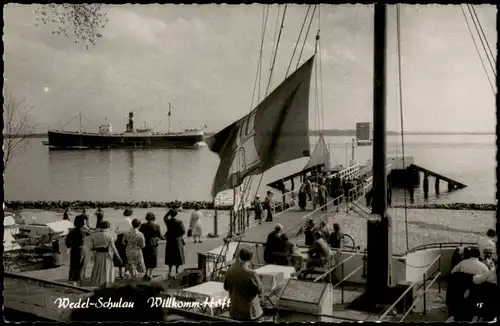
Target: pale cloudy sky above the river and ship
203,59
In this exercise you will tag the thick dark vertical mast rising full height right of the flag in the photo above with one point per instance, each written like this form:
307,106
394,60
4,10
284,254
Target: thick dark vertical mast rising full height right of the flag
379,244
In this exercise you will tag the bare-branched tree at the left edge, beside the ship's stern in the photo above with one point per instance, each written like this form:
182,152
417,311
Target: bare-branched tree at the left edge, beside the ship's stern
16,127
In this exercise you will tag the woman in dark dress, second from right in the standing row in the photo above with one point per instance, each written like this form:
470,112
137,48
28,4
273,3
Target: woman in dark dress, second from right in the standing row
151,233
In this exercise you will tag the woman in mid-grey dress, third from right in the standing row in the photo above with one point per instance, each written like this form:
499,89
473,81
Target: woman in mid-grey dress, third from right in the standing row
134,242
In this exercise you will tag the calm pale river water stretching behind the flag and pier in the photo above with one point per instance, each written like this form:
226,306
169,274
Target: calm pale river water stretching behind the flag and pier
36,173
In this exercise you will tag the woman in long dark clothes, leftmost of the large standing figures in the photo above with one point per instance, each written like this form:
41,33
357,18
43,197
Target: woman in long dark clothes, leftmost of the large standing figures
75,241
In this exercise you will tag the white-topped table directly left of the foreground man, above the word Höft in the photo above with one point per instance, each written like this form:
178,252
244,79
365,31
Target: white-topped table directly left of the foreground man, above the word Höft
213,291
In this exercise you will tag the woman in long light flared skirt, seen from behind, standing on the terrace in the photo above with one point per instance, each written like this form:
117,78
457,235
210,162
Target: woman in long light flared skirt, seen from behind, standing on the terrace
103,246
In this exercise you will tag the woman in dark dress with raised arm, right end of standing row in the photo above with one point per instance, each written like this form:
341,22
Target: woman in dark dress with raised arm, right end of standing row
174,251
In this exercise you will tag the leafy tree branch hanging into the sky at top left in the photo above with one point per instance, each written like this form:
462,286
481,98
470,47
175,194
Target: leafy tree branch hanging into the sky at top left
83,20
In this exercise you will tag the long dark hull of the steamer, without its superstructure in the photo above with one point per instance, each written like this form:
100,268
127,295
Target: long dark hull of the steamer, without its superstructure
75,140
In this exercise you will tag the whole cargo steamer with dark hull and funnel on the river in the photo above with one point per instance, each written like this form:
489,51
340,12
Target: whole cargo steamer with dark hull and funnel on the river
144,138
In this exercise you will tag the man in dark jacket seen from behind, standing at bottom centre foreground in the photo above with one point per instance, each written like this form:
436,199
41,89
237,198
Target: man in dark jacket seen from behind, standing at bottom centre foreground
244,286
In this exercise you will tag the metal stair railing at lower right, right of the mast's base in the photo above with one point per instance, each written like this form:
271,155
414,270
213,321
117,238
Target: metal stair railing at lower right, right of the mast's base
419,296
